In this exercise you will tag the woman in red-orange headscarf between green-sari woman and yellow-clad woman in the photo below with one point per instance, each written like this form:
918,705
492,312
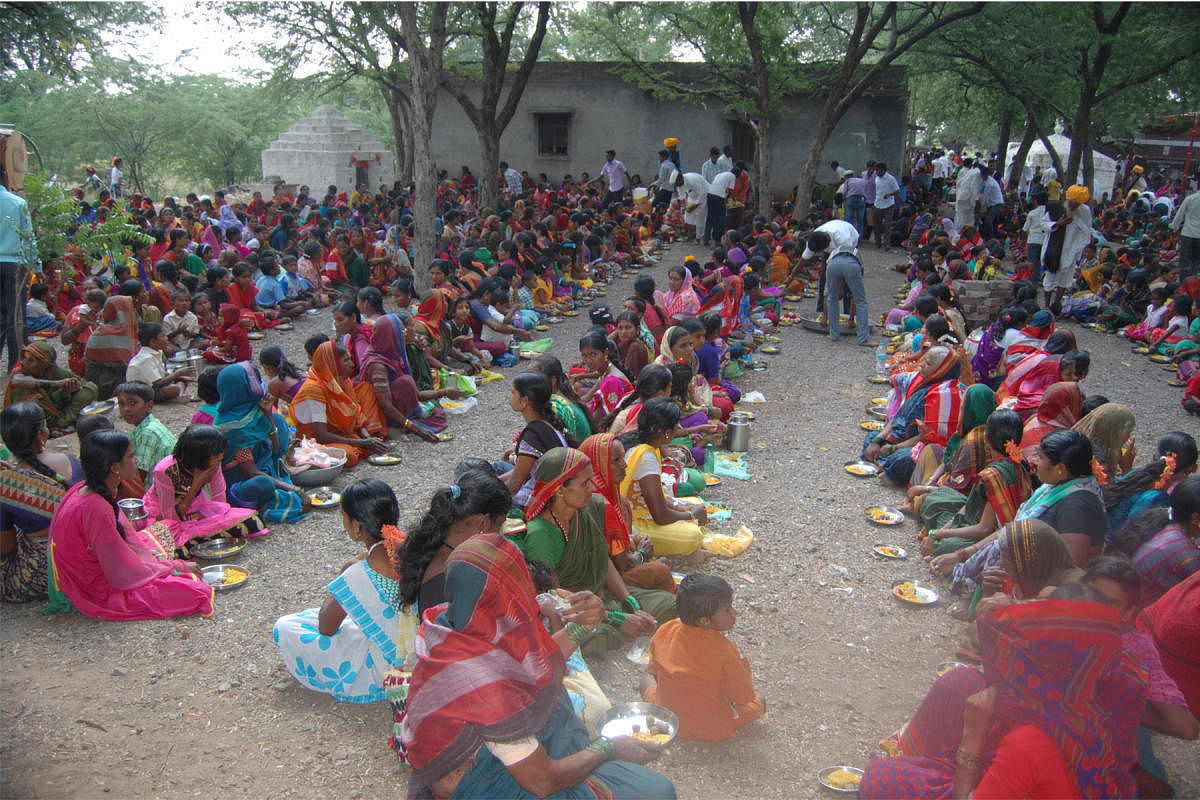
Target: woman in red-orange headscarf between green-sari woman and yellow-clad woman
633,555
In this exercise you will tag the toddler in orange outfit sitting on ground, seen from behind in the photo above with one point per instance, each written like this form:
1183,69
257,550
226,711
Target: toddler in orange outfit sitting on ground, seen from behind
695,671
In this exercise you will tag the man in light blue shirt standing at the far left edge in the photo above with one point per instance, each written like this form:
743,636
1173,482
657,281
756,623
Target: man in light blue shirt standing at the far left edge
19,255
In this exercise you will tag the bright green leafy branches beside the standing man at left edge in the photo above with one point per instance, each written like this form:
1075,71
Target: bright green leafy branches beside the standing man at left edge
53,209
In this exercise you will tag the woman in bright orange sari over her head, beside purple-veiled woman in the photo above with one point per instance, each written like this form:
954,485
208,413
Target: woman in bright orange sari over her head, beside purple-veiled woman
325,410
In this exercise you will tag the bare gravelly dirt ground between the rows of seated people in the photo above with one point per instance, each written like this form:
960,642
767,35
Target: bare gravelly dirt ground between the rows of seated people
201,707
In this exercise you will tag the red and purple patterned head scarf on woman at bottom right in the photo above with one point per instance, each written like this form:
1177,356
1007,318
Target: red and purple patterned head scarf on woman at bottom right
1061,667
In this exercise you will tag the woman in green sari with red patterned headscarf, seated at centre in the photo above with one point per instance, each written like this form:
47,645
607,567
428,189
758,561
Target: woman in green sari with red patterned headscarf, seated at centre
566,531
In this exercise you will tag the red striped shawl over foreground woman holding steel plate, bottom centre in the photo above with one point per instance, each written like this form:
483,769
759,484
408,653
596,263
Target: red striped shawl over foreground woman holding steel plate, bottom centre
489,670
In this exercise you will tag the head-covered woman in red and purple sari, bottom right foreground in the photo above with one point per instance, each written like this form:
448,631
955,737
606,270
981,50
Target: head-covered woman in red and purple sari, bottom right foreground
1054,714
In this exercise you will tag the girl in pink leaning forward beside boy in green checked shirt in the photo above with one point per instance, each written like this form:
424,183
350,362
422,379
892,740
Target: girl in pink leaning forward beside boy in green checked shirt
188,494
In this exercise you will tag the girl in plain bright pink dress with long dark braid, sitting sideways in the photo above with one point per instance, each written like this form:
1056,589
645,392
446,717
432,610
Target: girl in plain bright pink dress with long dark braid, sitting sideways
101,564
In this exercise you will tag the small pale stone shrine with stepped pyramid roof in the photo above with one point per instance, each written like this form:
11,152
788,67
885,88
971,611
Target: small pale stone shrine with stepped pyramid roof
327,148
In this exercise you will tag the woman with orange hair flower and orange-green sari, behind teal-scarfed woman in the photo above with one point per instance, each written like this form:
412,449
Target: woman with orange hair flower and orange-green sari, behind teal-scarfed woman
956,520
